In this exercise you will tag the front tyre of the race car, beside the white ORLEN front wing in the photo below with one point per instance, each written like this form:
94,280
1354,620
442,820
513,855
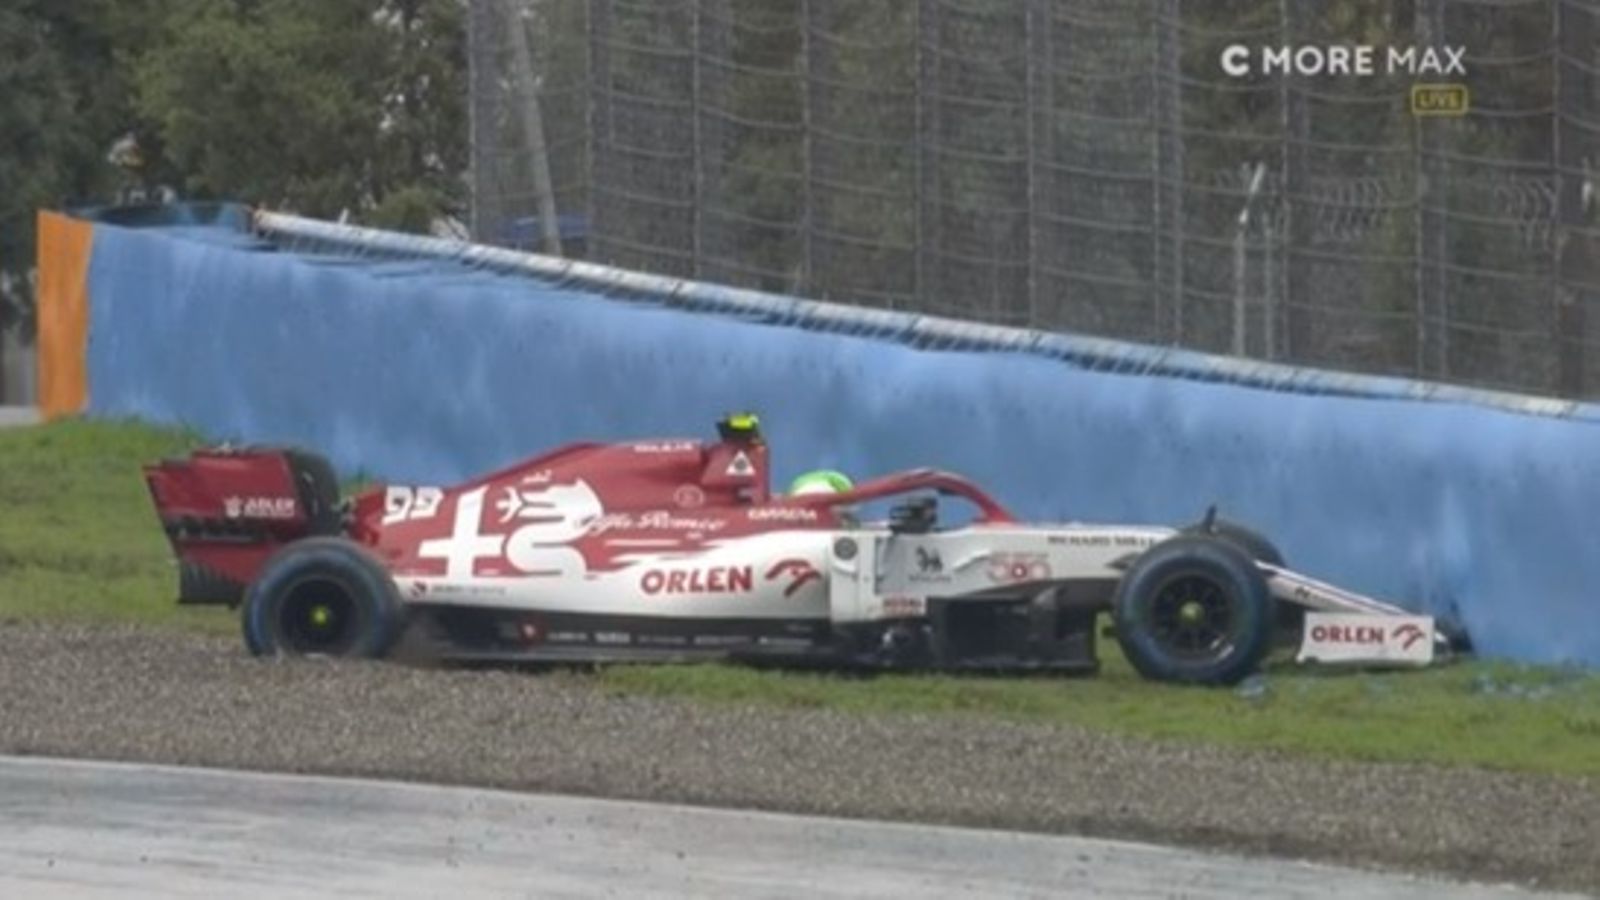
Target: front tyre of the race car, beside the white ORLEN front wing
1194,609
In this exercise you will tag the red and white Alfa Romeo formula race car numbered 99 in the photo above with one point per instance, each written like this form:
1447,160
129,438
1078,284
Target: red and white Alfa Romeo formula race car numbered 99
678,550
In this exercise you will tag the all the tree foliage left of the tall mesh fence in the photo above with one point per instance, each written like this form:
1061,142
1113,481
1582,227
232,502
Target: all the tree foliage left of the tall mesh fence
316,106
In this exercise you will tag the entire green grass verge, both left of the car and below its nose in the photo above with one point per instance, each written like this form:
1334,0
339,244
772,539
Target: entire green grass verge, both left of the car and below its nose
79,542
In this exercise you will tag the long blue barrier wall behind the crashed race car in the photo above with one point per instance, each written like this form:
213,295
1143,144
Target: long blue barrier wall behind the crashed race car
431,372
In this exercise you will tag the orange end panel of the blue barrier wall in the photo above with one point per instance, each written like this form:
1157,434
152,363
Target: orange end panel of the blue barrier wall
63,313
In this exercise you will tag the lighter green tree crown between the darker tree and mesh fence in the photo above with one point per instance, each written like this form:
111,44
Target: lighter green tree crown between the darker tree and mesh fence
311,105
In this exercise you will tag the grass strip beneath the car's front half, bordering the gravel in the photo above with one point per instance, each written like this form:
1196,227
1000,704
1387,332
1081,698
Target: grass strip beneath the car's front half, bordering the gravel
1474,713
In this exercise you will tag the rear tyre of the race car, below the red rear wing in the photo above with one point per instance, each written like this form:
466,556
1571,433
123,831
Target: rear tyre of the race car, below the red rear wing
322,598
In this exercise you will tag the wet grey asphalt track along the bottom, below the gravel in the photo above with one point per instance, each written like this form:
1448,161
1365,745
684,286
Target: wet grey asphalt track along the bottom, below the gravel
74,829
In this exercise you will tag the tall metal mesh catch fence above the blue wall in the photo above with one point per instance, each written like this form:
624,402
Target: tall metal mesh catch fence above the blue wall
1076,166
